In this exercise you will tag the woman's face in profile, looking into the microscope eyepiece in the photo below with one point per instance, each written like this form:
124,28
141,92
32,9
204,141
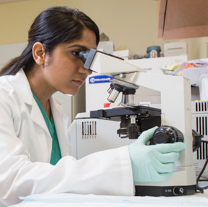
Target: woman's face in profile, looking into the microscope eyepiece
63,69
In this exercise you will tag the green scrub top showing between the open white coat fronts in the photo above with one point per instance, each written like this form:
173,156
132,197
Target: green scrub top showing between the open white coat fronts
55,153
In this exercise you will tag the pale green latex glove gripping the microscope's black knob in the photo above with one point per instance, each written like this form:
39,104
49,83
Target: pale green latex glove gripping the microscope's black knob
153,163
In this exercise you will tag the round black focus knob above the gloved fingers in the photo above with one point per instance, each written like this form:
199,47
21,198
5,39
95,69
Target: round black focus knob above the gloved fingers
166,134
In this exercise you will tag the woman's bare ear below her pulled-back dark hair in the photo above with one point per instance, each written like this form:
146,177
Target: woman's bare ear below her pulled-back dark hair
38,52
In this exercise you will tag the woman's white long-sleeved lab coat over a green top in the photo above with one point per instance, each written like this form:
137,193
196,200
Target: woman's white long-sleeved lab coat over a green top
25,150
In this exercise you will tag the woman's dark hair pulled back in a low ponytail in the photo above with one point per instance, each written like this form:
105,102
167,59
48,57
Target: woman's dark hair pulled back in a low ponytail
51,27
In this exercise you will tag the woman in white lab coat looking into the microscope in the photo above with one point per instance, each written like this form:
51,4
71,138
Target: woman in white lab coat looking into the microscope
33,131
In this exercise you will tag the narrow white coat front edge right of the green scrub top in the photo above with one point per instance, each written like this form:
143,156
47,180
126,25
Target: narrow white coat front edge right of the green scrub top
60,121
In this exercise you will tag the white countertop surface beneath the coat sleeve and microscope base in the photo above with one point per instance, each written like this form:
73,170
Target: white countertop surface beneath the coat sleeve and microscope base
77,200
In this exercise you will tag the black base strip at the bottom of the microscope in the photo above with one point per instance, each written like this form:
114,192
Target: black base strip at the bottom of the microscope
165,190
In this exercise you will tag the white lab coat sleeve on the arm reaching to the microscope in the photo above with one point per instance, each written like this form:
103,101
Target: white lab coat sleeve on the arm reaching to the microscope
107,172
